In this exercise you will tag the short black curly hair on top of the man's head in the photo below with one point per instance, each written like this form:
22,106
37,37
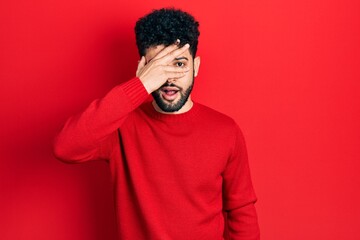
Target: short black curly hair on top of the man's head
164,26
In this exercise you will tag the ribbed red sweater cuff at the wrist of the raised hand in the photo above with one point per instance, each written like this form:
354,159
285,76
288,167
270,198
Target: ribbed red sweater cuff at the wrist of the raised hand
136,91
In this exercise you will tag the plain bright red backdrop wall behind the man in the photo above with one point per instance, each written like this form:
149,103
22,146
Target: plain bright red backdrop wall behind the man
286,71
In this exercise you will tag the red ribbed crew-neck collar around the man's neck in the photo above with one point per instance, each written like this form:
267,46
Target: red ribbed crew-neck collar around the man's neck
149,109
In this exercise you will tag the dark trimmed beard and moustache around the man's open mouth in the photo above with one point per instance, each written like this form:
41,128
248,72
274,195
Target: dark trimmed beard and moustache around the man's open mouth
172,107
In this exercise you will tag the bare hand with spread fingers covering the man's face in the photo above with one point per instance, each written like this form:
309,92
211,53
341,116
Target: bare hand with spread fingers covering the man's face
156,72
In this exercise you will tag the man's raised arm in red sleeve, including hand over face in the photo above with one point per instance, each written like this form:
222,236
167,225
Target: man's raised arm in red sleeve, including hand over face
83,135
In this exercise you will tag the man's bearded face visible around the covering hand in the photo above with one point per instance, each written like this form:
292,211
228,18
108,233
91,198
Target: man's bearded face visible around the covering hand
175,93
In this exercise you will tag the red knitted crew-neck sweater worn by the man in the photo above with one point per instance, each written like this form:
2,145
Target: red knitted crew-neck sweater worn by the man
176,176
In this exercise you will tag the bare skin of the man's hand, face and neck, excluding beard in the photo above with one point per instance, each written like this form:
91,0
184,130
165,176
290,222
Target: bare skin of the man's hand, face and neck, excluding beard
168,64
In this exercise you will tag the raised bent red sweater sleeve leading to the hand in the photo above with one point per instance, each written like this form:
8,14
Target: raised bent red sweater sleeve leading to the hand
82,135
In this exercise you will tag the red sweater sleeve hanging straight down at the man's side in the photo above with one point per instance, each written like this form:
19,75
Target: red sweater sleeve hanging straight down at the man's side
238,195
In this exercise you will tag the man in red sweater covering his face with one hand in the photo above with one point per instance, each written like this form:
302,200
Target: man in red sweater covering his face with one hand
180,169
